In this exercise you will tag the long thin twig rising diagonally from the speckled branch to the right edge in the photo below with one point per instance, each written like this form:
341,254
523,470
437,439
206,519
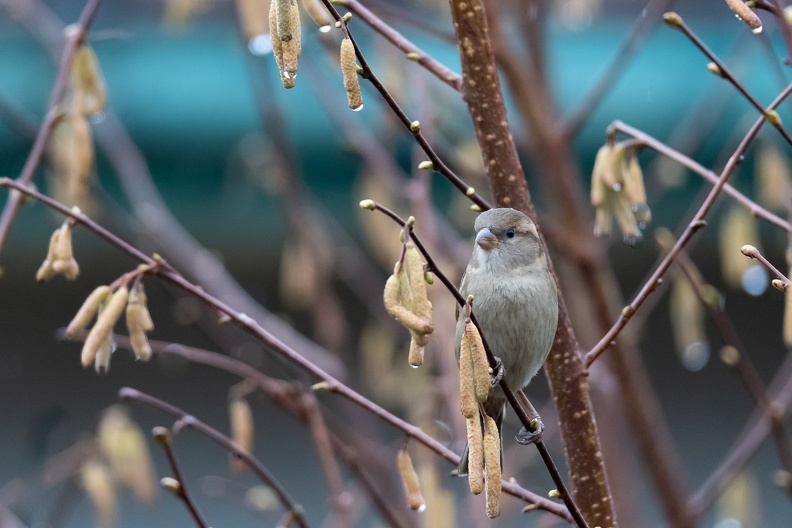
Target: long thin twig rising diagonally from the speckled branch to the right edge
695,224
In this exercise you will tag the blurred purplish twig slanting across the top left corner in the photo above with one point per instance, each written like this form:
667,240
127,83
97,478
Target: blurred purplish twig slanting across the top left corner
74,39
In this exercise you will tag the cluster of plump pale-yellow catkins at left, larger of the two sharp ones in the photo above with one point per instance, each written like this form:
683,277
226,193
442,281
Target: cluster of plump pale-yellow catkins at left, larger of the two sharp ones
107,306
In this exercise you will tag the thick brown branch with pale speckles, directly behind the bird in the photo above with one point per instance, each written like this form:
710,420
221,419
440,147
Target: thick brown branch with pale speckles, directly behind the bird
568,377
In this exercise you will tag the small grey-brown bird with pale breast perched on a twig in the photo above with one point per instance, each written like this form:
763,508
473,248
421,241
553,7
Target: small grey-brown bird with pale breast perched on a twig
515,301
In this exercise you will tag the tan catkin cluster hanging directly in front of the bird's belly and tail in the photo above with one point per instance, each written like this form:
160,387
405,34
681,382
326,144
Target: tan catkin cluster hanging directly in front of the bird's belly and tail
484,470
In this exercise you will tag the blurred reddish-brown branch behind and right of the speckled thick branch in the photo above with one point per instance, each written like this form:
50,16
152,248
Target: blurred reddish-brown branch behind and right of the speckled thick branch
555,160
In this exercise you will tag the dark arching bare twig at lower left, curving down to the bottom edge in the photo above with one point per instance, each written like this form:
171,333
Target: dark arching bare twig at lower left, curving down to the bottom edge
187,420
